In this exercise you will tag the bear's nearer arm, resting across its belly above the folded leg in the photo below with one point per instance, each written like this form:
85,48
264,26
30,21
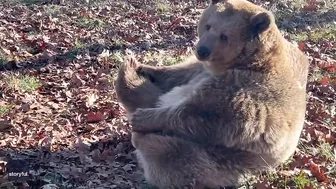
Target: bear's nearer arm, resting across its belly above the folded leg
198,118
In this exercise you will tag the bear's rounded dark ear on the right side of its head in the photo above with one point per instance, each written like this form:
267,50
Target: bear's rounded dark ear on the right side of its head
260,22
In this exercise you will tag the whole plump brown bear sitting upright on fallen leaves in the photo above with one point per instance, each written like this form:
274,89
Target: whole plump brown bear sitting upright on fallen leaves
224,116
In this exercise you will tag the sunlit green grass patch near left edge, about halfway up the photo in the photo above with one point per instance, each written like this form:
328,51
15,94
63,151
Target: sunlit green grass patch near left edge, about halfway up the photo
22,83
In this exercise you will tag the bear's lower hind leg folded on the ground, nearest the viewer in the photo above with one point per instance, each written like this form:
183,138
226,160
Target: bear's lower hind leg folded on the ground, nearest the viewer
169,161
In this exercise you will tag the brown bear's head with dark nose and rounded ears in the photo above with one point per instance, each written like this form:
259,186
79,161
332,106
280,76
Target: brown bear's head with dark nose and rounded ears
233,33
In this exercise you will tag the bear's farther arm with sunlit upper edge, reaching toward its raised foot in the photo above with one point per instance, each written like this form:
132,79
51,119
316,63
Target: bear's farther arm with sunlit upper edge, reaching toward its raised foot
168,77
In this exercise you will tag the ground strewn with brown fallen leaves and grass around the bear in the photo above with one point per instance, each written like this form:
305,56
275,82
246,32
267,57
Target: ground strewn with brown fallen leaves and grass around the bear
58,109
